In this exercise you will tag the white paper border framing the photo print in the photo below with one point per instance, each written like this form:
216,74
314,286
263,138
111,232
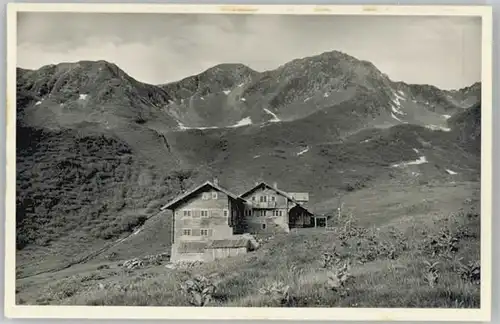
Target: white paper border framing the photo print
254,313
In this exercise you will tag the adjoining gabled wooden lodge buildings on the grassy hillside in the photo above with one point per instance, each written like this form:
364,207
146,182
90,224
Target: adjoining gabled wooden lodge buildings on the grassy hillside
209,221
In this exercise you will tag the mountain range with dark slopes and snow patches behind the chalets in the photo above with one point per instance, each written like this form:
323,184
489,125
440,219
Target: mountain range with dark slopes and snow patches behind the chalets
98,152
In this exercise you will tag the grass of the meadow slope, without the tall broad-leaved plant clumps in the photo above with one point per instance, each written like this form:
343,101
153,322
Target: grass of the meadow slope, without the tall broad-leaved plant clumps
295,260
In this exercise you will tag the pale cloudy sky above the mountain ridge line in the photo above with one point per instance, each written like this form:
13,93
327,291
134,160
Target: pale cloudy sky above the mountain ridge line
159,48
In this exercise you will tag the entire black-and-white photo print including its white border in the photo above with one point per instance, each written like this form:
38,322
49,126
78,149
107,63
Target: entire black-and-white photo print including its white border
236,159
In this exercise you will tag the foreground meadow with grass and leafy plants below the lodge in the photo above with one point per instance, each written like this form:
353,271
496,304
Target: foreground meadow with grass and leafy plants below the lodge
432,262
